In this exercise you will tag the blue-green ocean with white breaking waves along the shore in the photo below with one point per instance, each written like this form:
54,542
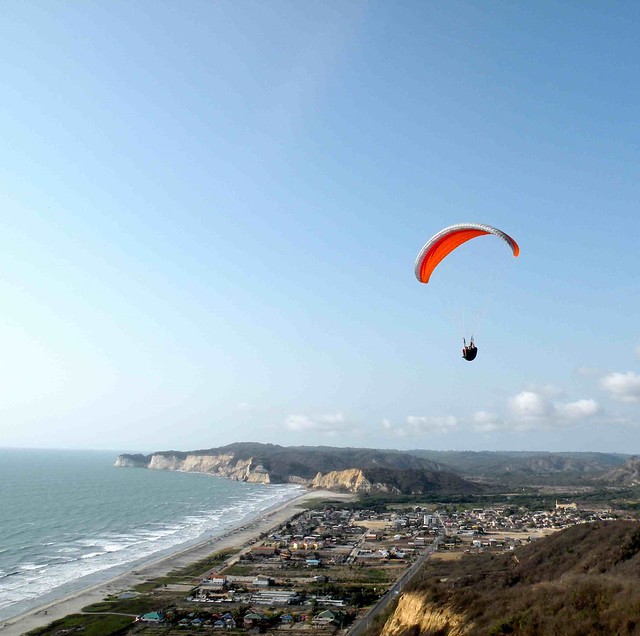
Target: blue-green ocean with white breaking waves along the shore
70,519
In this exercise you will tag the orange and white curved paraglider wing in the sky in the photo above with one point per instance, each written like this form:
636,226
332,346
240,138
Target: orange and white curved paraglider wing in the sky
444,242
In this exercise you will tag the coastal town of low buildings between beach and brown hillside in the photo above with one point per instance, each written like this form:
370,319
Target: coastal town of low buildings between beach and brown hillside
325,570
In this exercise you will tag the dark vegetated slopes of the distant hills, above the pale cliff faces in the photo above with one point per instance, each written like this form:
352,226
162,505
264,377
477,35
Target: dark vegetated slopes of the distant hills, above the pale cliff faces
465,474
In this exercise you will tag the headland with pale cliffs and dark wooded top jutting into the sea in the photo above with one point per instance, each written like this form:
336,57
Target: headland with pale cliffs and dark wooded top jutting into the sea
338,469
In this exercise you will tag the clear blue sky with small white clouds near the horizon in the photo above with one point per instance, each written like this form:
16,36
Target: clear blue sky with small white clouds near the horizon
210,211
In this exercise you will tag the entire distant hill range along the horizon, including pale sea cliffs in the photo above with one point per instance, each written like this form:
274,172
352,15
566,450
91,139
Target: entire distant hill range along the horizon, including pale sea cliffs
391,471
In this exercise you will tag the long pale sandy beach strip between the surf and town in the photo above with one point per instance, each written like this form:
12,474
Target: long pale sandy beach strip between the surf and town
73,603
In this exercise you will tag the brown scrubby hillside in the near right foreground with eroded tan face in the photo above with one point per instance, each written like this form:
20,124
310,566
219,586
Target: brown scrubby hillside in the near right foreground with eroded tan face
582,580
